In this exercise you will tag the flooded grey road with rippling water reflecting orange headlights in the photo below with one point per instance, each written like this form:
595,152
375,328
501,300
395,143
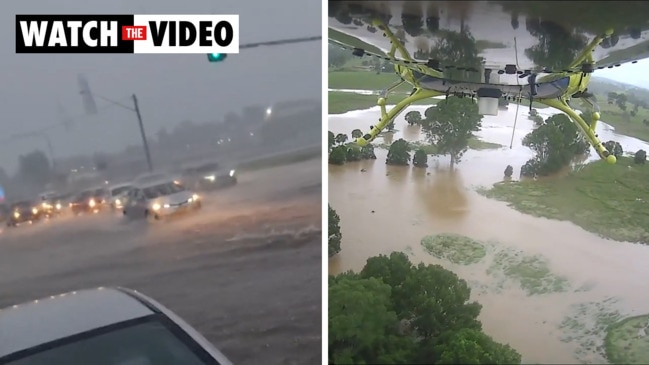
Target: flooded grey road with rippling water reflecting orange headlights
245,271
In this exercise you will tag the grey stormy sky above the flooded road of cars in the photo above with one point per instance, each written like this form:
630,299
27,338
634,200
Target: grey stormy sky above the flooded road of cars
170,88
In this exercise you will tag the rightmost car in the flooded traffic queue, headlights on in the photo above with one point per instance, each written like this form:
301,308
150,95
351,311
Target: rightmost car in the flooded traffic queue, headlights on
208,176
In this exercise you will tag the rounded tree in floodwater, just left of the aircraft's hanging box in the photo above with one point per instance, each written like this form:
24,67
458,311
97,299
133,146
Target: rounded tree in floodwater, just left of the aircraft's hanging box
450,126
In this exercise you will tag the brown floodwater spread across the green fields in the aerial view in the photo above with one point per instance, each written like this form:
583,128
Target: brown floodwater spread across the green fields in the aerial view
390,208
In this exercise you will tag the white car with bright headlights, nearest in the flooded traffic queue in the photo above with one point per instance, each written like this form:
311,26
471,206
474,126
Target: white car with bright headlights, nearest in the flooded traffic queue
159,199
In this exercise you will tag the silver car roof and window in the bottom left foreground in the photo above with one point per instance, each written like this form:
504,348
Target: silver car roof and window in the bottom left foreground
101,326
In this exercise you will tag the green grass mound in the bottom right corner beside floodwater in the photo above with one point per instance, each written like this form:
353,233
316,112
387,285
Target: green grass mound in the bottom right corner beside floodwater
627,341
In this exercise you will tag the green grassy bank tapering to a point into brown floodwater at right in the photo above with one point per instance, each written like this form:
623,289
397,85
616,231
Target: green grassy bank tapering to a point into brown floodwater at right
609,200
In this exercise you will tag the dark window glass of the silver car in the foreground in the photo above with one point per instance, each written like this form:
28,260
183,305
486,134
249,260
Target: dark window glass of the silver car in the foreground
150,343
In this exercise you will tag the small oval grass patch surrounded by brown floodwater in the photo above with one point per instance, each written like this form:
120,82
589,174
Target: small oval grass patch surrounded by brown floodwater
455,248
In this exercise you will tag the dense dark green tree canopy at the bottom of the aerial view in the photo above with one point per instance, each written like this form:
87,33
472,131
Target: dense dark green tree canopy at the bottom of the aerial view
398,313
